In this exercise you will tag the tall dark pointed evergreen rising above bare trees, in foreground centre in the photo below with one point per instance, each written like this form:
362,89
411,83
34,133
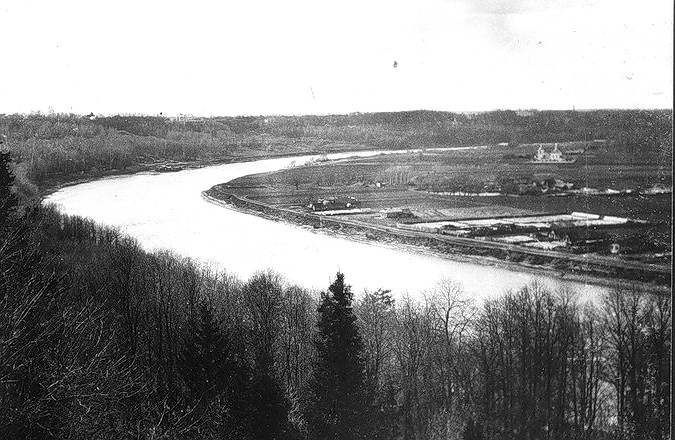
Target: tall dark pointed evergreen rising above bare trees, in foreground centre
339,399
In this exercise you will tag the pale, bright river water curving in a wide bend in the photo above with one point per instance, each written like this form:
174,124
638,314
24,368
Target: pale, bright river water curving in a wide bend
166,211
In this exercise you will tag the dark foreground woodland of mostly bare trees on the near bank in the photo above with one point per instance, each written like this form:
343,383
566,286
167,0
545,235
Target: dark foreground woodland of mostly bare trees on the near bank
100,339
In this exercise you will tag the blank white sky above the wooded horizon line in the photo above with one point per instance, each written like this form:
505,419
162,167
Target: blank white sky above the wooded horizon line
316,57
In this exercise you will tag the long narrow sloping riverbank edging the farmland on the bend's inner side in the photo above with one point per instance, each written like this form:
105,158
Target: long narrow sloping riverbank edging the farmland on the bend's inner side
656,280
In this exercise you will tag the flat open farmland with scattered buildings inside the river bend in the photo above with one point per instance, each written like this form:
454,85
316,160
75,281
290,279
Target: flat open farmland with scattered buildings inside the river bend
404,185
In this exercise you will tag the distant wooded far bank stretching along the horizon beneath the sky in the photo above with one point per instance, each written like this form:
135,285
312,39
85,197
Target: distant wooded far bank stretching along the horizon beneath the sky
70,145
